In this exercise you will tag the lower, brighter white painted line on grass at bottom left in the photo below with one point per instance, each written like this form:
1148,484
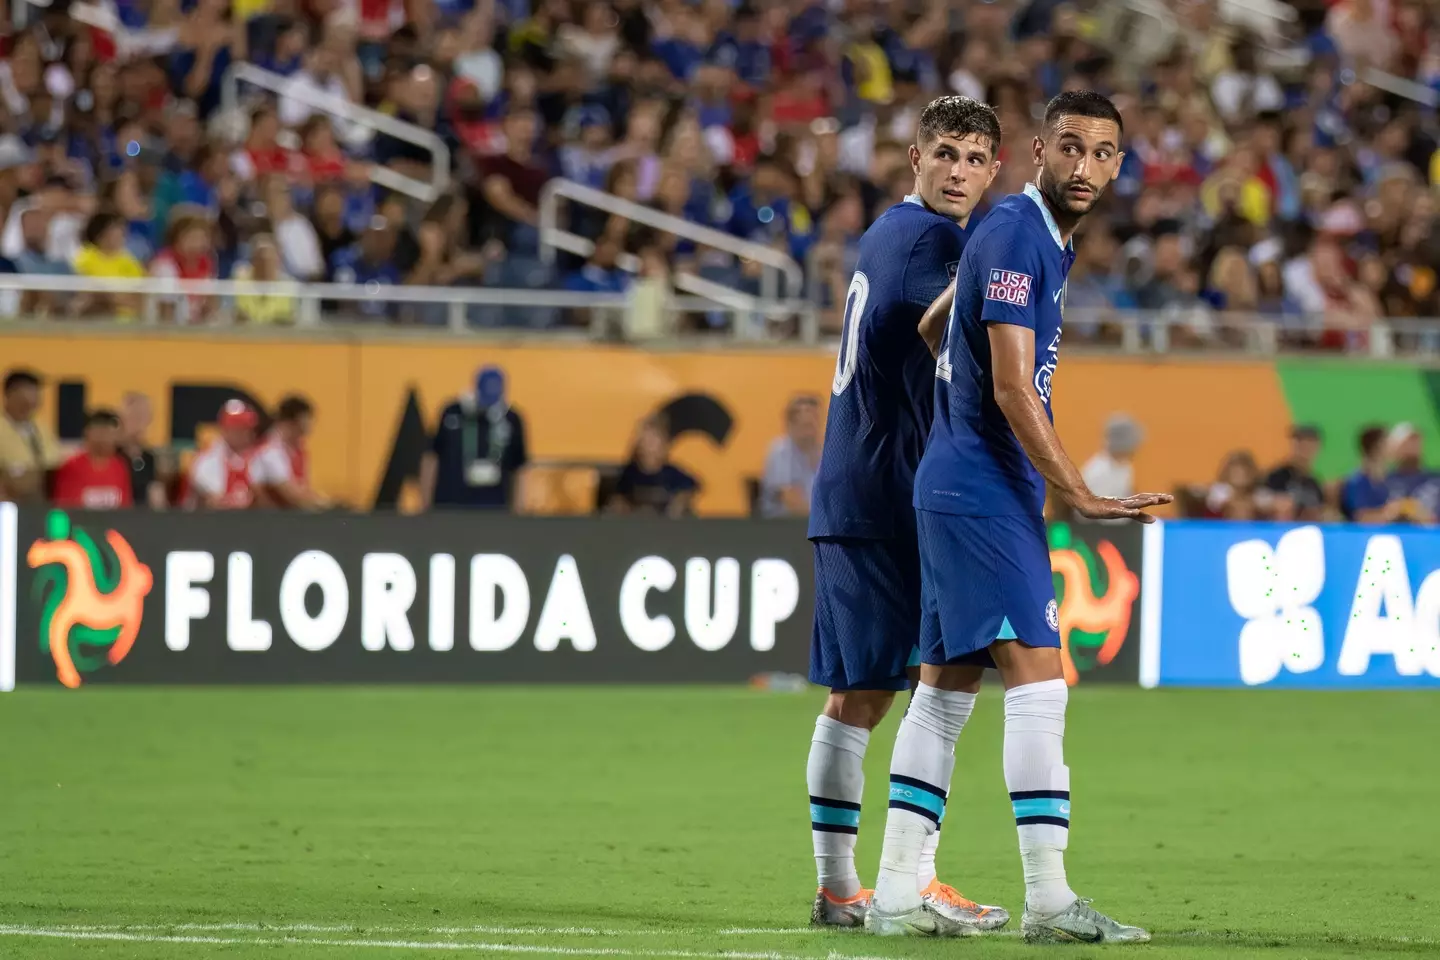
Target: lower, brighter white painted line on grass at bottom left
119,936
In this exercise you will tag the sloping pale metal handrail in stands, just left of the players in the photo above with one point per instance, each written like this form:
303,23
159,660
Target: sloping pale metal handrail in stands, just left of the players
778,267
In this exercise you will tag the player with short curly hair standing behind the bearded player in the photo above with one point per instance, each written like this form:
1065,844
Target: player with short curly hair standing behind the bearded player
868,566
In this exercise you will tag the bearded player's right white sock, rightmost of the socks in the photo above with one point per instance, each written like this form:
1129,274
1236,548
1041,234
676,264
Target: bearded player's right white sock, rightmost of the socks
1039,784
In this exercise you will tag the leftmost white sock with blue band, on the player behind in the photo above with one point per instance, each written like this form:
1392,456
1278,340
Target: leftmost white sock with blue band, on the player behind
836,776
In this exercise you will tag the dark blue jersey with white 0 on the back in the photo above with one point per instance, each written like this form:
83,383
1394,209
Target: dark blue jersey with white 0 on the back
882,404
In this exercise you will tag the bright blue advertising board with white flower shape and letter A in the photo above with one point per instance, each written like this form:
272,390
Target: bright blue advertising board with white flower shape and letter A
1291,605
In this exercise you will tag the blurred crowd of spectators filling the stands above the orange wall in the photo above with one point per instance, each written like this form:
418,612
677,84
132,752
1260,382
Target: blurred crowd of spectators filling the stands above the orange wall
1254,184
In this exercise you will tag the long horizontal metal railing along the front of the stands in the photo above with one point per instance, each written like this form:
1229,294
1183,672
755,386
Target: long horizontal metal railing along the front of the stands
171,303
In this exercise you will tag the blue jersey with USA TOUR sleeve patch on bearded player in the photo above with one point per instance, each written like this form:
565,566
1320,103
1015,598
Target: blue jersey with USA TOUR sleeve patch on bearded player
1013,273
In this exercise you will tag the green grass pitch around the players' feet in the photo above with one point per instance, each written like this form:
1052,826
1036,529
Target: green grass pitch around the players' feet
650,823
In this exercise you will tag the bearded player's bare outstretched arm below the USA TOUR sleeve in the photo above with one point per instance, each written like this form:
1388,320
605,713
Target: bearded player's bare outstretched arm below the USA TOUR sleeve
1013,359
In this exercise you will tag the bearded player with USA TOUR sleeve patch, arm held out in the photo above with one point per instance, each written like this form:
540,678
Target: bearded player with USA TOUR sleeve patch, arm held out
980,496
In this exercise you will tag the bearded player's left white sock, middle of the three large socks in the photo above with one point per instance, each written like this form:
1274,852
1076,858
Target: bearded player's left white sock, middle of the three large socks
919,782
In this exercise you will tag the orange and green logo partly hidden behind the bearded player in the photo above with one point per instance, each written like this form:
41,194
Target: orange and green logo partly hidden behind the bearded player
1097,595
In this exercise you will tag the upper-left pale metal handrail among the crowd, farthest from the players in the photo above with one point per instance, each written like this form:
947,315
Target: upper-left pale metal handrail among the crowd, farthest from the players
341,109
